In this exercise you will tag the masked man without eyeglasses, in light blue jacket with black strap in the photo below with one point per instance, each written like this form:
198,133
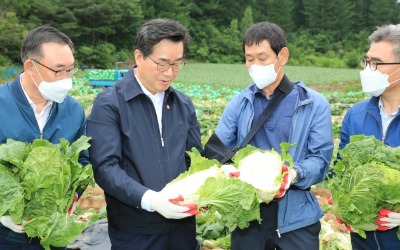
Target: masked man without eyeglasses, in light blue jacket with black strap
303,117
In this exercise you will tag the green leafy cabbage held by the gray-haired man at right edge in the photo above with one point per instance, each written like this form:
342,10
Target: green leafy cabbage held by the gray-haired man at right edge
366,179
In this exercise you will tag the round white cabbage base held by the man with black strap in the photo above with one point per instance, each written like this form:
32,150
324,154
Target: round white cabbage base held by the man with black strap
263,170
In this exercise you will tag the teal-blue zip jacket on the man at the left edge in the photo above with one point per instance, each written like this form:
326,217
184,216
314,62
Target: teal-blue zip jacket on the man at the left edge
18,122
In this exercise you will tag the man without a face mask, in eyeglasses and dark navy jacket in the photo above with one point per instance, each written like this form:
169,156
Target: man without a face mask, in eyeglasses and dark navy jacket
141,129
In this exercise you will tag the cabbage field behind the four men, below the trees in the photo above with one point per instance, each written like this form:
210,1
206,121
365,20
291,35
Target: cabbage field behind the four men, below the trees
214,87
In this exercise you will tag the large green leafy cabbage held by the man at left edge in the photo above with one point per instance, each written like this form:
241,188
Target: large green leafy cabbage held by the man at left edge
38,181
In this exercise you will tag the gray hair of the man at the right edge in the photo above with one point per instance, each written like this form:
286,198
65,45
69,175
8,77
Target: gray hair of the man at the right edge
388,33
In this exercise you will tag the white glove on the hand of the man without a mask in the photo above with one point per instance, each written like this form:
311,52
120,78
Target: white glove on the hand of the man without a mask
161,202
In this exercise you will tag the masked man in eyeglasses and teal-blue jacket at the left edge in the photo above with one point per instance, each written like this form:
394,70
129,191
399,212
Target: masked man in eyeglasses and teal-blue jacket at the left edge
36,105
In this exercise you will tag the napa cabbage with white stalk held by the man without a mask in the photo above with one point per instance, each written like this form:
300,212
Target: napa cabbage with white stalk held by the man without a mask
205,184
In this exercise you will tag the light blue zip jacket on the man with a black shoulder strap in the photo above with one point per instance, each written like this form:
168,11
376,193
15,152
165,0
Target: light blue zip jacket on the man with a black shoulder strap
311,135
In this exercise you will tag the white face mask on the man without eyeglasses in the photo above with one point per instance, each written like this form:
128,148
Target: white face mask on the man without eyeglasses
263,76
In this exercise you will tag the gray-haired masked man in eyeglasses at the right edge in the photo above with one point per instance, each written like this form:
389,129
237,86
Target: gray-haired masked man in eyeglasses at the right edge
378,116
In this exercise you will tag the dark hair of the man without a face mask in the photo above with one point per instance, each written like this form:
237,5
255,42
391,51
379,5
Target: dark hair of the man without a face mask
155,30
